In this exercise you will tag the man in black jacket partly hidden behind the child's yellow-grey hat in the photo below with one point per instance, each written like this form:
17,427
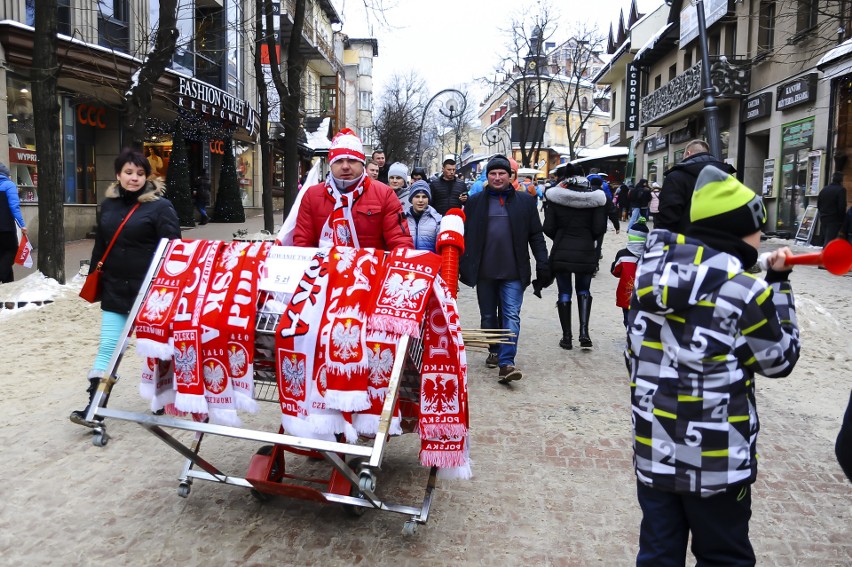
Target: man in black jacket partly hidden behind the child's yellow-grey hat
679,183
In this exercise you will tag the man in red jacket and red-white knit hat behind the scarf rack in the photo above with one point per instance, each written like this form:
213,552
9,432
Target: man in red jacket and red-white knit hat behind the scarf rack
349,208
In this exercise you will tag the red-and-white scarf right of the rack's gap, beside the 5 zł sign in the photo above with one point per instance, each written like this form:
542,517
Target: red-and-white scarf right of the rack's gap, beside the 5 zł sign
296,339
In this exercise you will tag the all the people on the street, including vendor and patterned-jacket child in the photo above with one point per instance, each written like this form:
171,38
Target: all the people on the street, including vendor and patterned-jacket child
699,327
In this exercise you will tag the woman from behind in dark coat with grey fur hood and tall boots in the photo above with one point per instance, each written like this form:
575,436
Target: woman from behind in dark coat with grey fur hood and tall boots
574,219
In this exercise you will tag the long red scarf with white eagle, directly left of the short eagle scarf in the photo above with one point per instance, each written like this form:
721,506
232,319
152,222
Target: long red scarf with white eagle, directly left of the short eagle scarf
351,273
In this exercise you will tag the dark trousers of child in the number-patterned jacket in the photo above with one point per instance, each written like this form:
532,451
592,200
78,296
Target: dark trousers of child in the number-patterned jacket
719,526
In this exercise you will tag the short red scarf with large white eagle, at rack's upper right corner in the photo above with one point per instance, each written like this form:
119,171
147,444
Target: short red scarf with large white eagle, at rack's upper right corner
403,290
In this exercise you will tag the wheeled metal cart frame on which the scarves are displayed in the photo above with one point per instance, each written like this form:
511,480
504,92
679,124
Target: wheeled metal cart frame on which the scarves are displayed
352,468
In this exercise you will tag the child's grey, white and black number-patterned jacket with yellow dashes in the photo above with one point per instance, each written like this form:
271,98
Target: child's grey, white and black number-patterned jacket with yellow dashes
699,330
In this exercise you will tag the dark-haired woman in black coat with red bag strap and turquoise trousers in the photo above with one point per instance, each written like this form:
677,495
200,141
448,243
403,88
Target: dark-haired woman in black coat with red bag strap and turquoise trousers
128,261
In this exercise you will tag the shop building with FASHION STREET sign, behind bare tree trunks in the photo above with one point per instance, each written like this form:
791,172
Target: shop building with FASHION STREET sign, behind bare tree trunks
209,89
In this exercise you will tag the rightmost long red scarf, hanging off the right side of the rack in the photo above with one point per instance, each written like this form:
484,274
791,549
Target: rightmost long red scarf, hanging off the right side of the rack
444,417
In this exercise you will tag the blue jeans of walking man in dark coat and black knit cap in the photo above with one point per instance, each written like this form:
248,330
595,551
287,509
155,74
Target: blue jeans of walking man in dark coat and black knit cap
508,295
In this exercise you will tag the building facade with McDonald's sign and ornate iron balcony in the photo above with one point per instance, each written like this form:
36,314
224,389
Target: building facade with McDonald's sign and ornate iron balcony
782,122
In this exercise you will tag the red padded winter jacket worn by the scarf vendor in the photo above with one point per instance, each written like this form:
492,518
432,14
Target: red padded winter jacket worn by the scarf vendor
379,220
